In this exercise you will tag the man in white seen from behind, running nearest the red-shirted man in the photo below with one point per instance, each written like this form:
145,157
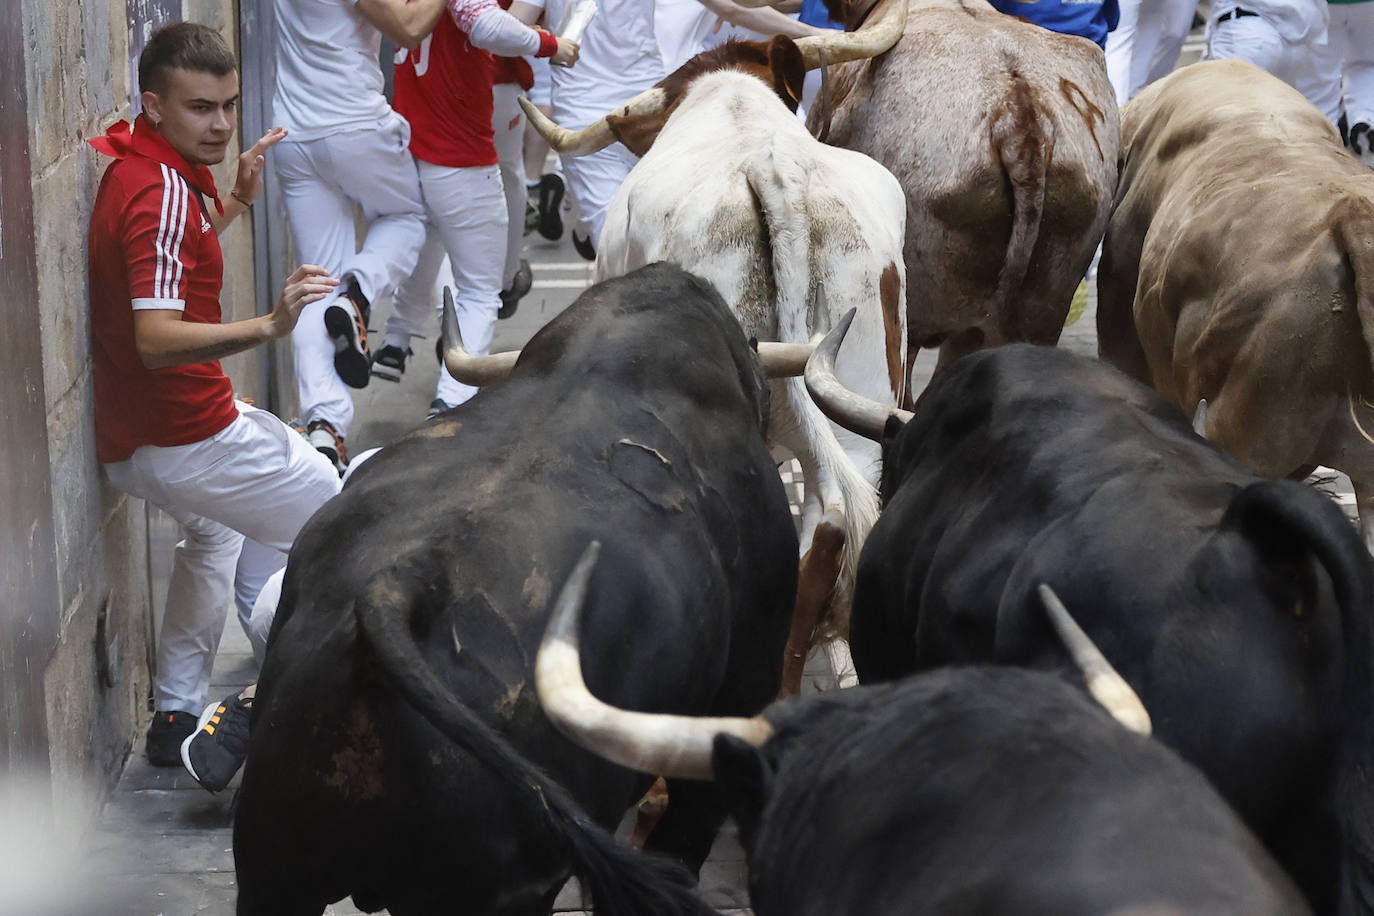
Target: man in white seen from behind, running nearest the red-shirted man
346,148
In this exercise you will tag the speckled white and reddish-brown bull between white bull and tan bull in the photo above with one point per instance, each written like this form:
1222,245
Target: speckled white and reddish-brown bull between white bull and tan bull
1004,137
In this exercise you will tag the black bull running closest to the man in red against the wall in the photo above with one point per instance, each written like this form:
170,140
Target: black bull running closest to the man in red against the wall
635,418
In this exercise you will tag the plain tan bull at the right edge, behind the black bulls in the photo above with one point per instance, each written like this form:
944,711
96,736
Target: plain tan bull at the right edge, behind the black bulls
1239,270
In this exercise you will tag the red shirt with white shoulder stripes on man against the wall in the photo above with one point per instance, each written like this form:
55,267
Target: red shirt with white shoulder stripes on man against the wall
152,247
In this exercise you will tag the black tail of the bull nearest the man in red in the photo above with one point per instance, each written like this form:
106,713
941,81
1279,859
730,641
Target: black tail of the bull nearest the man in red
622,881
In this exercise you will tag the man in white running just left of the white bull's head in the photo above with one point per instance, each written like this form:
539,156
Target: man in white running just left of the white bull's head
619,60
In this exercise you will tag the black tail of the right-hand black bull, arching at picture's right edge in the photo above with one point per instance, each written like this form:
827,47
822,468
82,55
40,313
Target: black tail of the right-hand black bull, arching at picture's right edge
1324,531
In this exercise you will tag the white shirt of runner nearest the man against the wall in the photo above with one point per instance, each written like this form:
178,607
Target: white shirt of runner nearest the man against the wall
328,72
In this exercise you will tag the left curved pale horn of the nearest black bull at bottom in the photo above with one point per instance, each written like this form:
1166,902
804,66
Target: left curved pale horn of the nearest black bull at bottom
673,746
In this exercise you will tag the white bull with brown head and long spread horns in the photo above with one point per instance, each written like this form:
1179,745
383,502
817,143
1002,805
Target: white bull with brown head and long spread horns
732,187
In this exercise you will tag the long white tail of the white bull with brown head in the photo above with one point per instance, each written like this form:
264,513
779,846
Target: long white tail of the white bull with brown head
780,181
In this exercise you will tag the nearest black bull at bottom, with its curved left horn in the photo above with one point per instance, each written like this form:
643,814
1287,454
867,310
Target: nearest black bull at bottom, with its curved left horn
967,792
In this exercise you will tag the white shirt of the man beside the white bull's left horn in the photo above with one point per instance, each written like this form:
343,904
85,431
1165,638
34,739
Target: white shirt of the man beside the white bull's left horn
619,58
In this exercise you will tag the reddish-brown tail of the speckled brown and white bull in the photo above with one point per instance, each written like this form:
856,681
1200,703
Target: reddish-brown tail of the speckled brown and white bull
1024,145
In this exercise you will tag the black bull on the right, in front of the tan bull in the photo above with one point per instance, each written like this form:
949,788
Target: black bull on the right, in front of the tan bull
1239,609
